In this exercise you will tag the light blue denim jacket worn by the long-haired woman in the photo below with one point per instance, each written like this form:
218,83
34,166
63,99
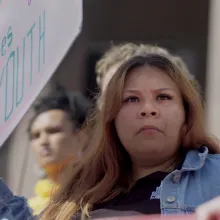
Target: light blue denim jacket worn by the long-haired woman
195,183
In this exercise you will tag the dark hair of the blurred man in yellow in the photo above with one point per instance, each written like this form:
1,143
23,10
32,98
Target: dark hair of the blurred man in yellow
74,104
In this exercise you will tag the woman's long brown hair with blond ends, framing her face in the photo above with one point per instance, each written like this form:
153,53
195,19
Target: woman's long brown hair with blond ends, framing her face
105,169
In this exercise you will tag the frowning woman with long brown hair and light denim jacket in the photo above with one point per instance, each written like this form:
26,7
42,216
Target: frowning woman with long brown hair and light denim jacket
148,152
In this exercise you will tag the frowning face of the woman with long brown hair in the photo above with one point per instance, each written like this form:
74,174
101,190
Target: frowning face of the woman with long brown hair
151,116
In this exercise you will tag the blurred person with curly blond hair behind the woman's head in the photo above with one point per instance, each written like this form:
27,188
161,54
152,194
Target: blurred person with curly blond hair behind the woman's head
117,54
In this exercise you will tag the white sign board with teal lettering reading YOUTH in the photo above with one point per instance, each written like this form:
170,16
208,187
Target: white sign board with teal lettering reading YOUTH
35,35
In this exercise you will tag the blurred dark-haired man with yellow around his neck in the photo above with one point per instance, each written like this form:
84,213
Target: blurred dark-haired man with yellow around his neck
55,138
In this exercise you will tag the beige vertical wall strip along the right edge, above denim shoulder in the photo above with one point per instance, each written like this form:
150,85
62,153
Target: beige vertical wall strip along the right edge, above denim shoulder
213,71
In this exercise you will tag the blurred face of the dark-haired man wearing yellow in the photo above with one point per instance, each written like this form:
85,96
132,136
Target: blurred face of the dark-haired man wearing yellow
52,138
